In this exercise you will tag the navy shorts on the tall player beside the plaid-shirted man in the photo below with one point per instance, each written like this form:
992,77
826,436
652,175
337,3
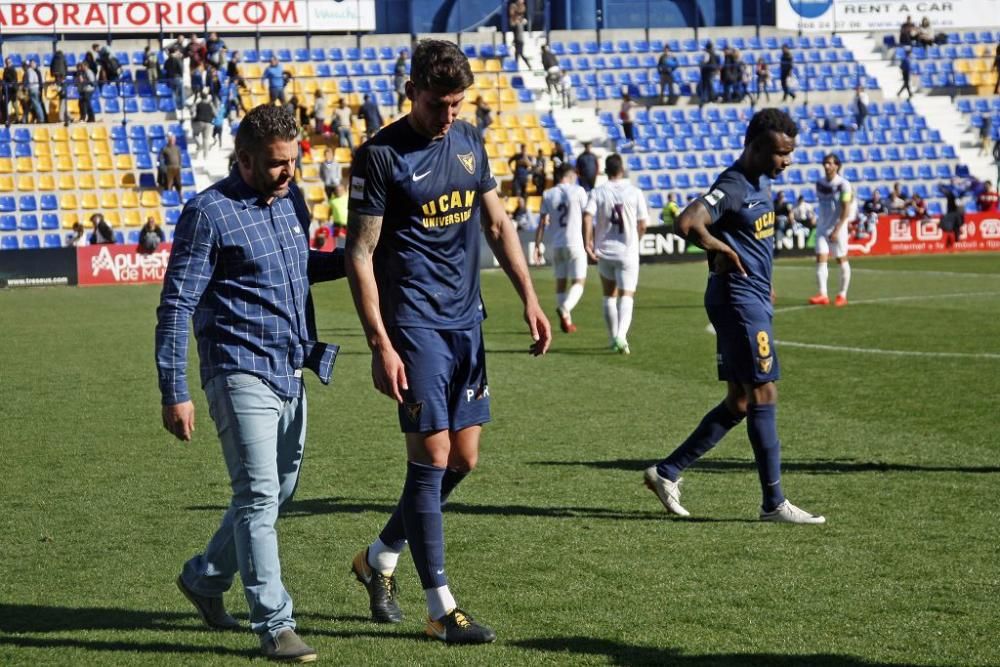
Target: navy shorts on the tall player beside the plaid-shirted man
446,373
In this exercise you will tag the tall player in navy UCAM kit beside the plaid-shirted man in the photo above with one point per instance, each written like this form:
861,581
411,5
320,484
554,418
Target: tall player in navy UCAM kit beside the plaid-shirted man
421,195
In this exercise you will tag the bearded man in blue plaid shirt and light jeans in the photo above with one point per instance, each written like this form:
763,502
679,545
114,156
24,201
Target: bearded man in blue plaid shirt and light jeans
241,267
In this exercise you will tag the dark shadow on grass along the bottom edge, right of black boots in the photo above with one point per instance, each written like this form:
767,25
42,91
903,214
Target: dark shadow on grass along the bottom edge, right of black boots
618,653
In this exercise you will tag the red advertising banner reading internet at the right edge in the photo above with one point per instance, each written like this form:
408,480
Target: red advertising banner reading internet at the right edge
902,236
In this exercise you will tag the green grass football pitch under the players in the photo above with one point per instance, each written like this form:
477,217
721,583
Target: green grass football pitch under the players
887,415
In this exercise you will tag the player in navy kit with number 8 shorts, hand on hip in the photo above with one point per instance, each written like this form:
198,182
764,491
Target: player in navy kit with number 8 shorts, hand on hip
734,223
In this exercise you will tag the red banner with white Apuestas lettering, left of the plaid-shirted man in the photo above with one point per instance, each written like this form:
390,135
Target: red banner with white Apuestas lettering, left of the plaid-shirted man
109,264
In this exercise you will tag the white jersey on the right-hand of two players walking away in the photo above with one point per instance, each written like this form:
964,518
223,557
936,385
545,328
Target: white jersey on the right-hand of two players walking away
617,207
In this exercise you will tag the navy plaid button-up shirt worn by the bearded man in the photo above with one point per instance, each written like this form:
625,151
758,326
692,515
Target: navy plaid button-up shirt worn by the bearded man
242,268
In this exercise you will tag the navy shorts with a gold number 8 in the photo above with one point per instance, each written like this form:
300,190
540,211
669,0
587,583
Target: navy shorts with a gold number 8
744,341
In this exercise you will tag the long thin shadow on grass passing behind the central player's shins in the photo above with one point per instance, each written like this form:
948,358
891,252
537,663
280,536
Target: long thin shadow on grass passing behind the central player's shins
319,506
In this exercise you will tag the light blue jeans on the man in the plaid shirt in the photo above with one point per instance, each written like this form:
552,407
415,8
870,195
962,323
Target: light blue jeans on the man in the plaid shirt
263,437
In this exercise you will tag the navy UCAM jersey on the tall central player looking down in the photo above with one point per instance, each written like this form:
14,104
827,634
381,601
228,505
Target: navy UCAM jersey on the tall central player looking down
428,193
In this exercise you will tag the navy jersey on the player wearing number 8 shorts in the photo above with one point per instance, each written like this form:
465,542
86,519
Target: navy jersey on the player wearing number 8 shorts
742,215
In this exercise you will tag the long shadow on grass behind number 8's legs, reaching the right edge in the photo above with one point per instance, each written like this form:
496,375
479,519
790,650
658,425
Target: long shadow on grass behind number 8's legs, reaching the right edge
815,466
